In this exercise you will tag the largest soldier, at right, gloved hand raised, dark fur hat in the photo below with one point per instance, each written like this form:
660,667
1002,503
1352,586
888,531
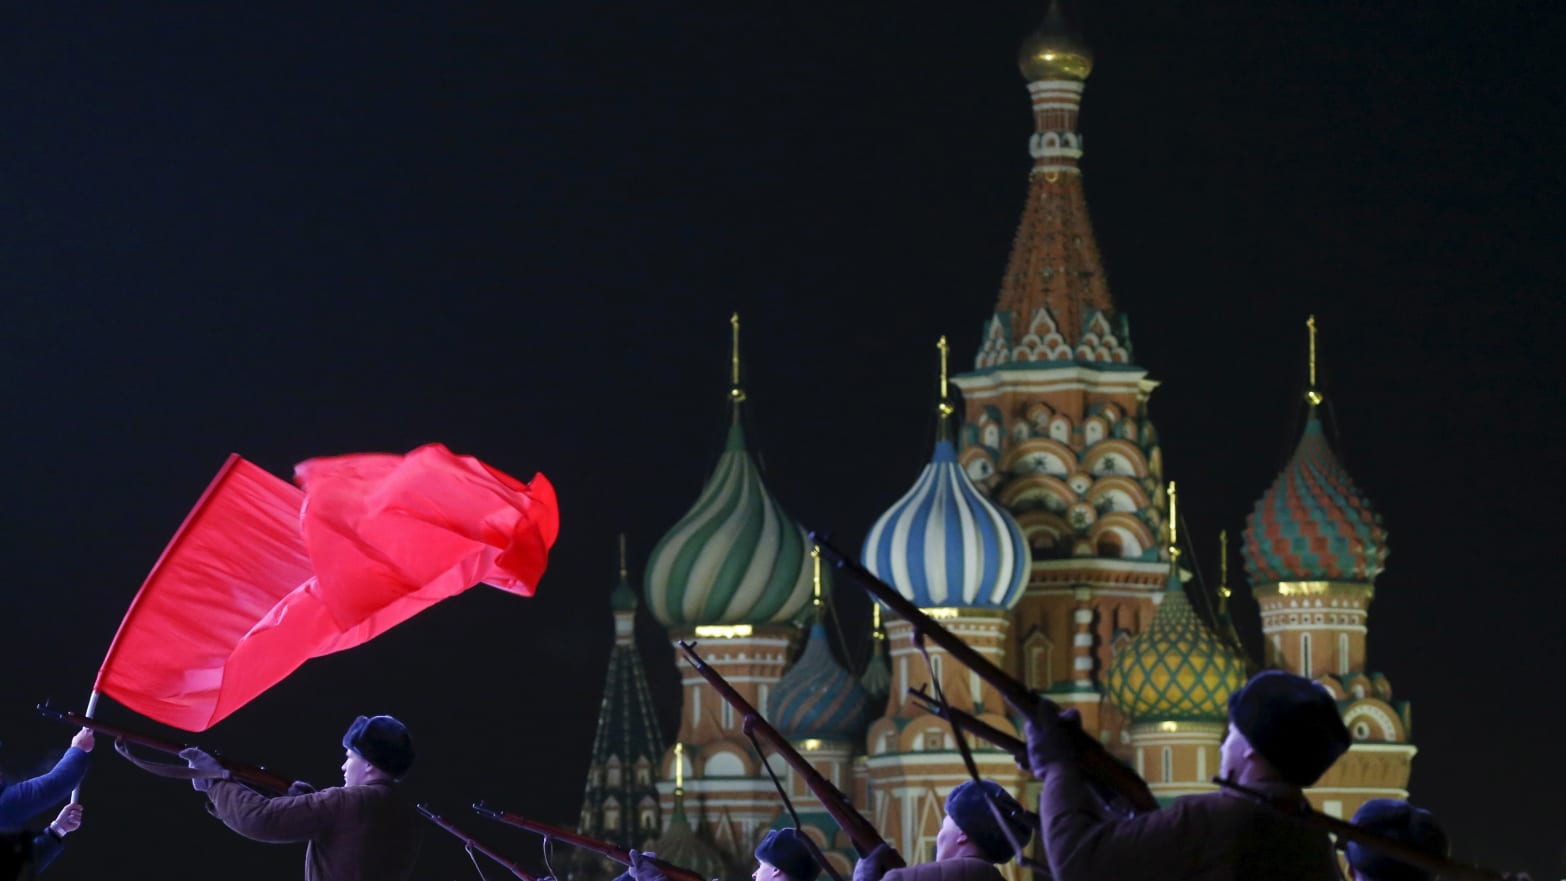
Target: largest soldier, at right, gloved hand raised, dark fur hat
1285,733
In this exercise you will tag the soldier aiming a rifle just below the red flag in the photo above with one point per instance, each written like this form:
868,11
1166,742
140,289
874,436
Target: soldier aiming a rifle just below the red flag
358,832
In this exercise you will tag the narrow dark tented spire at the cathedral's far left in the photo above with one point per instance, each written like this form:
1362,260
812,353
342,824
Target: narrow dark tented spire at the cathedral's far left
621,804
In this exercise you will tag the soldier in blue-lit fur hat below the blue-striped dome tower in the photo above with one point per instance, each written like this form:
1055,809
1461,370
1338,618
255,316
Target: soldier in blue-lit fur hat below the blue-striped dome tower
970,843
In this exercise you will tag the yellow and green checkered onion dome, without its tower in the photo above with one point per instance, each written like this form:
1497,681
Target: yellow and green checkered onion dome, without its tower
1178,669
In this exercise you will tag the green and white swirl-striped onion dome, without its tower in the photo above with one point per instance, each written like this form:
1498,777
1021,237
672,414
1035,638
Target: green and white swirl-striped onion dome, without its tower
735,558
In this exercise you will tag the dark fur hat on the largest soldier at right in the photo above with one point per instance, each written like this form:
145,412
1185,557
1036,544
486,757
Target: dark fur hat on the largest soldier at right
1291,722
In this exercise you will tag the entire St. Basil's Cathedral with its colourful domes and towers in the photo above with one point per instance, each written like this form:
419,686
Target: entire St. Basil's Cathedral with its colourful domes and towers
1042,531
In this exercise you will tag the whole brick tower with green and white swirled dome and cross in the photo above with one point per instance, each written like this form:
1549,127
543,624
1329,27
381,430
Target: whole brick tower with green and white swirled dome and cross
734,574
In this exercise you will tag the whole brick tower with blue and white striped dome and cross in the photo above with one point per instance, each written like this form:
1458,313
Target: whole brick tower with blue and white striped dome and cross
962,559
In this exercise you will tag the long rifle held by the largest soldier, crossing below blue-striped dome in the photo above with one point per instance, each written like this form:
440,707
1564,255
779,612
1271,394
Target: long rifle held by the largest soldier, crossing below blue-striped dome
1106,772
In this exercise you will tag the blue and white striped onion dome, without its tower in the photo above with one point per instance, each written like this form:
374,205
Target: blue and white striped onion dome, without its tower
947,545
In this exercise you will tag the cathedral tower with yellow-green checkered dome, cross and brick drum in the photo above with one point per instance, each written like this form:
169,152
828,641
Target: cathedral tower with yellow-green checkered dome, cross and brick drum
1174,681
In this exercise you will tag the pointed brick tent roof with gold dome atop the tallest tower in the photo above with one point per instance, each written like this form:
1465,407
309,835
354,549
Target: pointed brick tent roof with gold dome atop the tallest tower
1055,301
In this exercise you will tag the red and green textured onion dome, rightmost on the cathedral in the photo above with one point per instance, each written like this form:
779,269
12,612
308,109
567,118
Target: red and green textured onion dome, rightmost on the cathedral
1315,523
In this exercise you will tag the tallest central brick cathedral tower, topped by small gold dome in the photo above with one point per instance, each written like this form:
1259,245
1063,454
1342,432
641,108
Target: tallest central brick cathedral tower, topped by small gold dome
1058,430
